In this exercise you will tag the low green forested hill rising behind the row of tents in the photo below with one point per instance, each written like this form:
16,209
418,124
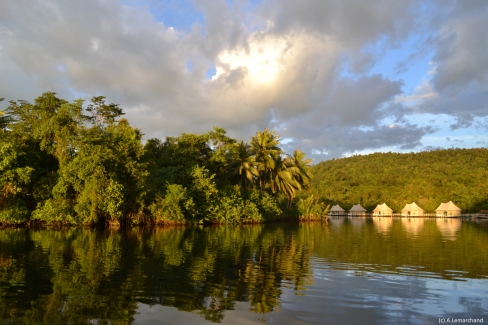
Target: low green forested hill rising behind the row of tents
428,178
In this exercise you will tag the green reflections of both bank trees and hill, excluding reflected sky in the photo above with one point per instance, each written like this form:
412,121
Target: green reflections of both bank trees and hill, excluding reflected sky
81,276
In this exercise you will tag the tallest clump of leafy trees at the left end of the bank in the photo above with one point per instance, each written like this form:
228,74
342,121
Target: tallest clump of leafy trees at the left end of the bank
73,172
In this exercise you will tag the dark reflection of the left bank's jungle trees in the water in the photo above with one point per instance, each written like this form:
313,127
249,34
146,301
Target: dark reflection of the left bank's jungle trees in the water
80,275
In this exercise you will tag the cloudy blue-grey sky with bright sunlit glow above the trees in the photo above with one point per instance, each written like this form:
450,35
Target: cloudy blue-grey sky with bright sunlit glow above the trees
334,78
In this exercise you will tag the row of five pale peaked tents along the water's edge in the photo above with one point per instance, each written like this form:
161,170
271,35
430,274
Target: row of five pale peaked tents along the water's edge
448,209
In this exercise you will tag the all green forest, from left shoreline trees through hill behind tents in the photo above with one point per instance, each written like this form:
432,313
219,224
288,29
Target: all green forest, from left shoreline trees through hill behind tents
83,164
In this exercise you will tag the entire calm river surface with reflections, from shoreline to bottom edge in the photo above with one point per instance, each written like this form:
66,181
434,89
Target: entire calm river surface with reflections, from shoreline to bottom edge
345,271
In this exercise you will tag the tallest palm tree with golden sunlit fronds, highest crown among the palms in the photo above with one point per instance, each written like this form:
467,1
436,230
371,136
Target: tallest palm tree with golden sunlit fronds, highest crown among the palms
266,150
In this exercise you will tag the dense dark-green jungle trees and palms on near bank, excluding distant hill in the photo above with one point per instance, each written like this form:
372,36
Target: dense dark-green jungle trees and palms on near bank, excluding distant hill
58,165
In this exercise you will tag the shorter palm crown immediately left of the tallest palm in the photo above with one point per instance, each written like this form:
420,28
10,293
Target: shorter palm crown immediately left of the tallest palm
243,163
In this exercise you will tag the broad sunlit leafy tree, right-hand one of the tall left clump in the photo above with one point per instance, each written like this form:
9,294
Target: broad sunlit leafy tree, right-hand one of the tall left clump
103,181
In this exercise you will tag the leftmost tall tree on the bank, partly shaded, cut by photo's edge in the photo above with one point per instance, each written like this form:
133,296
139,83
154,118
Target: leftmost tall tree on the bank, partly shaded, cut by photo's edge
33,148
